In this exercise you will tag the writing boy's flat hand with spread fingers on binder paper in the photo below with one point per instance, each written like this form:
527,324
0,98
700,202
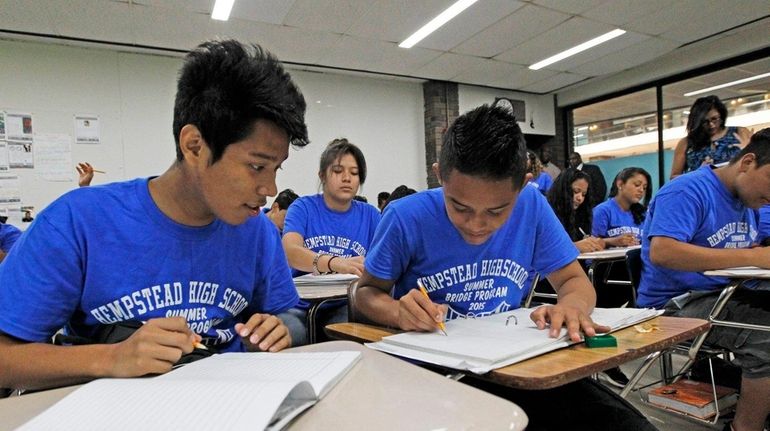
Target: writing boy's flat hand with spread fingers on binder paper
572,318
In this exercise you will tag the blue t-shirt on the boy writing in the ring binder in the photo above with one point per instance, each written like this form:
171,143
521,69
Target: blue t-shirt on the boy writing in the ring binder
417,239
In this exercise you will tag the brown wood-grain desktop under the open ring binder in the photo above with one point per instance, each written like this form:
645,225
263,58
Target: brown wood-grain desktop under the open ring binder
565,365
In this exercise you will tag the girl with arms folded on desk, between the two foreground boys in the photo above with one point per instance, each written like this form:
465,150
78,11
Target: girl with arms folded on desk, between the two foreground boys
330,231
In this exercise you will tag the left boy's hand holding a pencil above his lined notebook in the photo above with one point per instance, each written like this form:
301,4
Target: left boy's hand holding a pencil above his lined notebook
154,348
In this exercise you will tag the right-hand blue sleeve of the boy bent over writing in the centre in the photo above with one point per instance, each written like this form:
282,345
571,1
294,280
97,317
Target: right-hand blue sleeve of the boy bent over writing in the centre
553,249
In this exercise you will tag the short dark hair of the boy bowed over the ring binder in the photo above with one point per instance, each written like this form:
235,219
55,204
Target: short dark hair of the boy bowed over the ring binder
487,143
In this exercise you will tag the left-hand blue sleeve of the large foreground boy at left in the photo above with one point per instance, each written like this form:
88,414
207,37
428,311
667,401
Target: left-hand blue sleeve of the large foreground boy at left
42,278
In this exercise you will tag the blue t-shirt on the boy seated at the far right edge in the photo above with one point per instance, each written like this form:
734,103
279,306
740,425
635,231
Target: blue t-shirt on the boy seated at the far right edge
695,209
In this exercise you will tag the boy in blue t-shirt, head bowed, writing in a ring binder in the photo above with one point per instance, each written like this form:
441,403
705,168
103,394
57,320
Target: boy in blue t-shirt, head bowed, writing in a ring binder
471,244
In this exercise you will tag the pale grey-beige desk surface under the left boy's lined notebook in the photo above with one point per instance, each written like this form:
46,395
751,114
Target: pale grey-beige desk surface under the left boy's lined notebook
379,393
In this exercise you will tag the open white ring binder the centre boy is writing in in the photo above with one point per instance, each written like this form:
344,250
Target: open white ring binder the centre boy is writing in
485,343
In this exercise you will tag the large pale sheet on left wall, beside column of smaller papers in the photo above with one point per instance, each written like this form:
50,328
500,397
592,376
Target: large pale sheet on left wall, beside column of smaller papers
53,156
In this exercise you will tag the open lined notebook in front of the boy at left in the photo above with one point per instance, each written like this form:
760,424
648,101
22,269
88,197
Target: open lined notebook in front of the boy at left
252,391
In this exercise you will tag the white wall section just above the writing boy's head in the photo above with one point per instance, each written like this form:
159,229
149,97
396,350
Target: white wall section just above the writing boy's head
539,107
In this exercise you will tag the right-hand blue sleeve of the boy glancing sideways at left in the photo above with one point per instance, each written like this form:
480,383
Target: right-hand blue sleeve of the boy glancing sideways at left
277,292
